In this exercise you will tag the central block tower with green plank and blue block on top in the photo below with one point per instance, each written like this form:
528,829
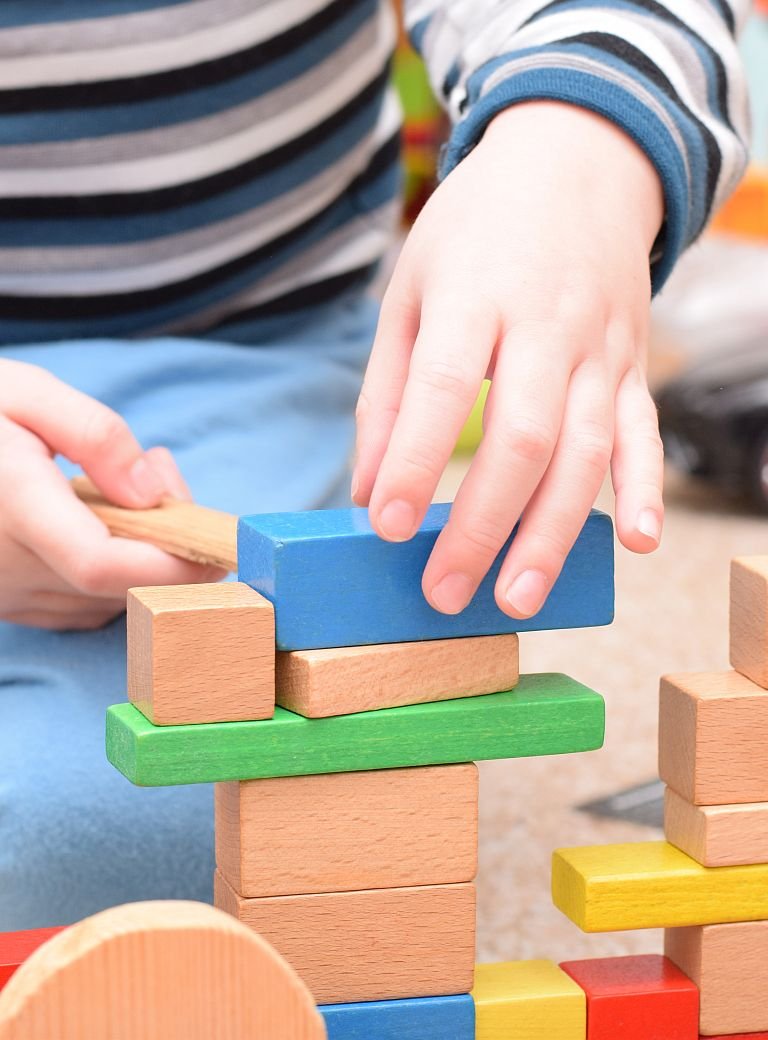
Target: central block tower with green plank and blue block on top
347,816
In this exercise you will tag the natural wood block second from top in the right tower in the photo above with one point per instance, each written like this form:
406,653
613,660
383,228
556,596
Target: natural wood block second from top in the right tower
713,732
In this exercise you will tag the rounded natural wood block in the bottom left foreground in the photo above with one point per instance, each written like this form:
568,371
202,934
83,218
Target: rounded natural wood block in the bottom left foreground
158,972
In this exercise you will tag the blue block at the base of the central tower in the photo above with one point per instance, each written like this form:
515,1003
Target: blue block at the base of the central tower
422,1019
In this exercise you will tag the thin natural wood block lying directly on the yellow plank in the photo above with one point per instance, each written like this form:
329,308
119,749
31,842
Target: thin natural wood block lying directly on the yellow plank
718,836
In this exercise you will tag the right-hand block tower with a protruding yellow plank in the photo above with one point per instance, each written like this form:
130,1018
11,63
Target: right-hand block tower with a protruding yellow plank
708,885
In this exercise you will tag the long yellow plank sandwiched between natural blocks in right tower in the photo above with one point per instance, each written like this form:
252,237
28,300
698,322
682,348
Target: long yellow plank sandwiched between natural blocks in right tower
652,885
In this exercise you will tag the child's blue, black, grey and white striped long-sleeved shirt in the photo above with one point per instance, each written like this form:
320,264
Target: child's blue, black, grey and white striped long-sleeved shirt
198,167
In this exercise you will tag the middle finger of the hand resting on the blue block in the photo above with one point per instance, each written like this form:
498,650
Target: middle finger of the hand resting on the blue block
529,389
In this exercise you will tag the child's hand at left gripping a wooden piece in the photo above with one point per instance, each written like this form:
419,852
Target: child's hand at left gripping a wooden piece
60,567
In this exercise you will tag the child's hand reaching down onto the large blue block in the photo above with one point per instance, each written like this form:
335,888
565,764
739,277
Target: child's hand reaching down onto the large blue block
530,264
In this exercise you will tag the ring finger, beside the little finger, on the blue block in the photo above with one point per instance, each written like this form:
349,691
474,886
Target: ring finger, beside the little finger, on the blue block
558,511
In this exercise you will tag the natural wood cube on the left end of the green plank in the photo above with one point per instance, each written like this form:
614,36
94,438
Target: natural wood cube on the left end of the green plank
201,654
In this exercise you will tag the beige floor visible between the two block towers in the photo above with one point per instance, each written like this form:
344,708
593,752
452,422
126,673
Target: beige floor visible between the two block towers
672,616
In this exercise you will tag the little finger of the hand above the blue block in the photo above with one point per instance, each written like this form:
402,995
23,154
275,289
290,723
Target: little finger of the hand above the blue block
638,466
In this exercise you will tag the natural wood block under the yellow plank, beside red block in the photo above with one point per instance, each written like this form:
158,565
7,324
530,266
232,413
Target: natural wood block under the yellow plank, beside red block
730,966
